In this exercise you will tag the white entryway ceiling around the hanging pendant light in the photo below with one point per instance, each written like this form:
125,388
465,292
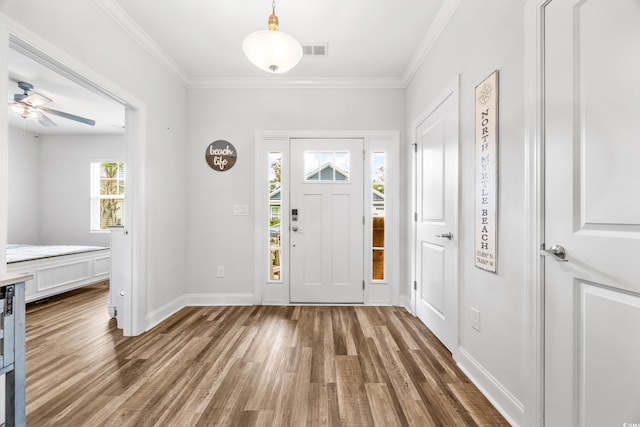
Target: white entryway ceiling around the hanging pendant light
201,40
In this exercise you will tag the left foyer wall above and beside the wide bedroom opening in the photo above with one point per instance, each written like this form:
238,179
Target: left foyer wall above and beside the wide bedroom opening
82,31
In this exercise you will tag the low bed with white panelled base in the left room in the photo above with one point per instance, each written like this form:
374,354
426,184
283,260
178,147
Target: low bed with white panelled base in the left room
58,268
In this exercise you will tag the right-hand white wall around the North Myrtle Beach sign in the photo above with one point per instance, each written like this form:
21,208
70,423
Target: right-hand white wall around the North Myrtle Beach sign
481,37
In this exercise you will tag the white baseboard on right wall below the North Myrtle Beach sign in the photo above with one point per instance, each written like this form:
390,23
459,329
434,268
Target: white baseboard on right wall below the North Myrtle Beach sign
510,407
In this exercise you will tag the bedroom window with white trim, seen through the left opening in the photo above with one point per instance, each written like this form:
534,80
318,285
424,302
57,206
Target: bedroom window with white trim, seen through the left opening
107,195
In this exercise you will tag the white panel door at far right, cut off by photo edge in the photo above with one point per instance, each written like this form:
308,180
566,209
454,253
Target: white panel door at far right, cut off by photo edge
592,210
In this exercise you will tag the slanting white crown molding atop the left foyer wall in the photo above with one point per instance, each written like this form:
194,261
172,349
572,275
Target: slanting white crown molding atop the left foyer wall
122,18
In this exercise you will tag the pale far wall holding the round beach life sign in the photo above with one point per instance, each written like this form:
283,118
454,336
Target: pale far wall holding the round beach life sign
214,236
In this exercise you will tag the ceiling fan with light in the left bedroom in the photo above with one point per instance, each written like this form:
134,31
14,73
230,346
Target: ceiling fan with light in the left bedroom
30,106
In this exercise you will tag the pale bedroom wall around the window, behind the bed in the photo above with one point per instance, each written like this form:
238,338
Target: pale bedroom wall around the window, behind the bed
65,185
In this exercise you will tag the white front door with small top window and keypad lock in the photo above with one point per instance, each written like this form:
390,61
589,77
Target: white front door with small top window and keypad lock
327,221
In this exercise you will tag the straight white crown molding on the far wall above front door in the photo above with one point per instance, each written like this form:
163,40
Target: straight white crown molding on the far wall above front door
291,83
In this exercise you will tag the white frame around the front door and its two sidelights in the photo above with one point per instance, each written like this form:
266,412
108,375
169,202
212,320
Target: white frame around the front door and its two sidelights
384,292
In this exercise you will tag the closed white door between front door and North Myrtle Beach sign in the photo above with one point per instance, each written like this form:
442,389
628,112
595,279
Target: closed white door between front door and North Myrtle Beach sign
437,218
